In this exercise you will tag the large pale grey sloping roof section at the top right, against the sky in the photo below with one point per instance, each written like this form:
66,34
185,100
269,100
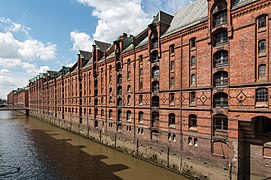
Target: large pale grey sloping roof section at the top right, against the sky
189,15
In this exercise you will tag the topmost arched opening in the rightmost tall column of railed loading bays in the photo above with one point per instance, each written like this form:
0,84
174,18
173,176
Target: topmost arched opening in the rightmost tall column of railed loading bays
219,13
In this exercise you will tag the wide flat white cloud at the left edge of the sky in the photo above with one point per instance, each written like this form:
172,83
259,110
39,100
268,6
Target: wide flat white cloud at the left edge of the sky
29,49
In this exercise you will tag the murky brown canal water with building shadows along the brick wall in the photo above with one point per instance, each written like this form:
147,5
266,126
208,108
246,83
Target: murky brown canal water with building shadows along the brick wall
32,149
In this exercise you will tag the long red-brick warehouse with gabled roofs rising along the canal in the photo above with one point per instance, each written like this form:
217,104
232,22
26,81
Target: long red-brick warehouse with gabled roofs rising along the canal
189,92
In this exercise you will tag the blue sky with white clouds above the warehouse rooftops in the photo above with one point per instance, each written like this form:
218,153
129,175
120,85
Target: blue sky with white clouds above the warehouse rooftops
36,36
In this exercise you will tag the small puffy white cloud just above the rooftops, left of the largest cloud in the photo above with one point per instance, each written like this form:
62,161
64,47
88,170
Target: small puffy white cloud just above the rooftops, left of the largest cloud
81,41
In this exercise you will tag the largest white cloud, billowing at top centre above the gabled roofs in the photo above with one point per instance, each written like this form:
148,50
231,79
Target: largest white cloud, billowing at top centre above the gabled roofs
116,17
